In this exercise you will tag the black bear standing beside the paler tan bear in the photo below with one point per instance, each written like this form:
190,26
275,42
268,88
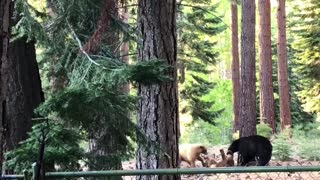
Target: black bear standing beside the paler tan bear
252,148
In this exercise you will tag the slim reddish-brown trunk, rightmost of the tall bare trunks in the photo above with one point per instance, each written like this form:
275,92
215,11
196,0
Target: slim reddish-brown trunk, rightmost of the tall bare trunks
285,116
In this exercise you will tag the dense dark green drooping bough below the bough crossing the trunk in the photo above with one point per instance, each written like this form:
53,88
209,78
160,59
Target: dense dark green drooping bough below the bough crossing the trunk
93,107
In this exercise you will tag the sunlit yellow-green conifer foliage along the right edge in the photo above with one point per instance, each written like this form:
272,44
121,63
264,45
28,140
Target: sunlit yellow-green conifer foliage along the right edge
305,26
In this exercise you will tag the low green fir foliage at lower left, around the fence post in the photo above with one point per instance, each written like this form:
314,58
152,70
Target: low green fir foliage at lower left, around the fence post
61,148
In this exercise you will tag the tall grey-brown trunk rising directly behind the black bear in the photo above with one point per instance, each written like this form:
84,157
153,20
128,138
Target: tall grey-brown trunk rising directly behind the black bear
248,69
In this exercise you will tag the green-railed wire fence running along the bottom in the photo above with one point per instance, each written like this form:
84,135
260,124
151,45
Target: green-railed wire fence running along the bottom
228,173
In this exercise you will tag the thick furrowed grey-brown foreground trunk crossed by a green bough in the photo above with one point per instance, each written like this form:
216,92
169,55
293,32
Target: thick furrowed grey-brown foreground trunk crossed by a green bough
158,104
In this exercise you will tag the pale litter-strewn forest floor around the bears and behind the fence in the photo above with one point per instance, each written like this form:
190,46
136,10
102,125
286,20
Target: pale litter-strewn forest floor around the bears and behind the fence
130,165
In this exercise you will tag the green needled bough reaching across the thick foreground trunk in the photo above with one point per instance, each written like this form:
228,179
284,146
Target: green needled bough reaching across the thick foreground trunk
113,72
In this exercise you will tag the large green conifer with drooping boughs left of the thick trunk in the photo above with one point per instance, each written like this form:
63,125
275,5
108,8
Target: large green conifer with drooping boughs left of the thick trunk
87,99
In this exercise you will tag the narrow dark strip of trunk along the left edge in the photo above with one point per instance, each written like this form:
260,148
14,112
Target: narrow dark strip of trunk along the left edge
5,14
